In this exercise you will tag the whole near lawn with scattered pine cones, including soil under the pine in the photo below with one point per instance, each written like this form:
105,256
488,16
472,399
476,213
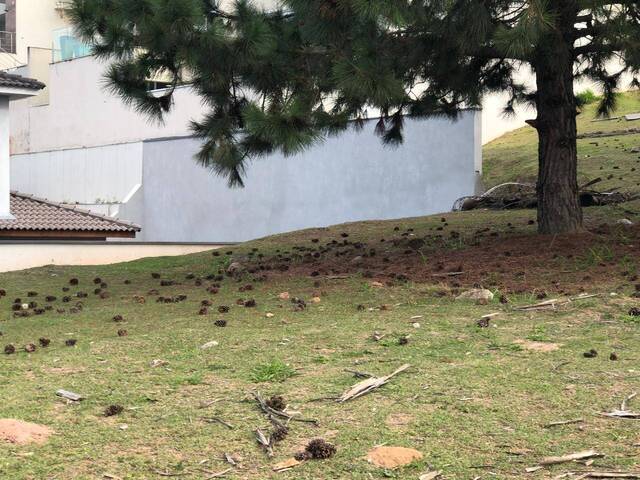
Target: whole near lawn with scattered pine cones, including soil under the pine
475,402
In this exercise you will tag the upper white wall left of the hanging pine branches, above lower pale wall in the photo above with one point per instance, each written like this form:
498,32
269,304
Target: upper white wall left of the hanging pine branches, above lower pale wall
81,113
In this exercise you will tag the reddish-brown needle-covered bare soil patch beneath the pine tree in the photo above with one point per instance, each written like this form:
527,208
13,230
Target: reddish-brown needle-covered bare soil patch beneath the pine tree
546,265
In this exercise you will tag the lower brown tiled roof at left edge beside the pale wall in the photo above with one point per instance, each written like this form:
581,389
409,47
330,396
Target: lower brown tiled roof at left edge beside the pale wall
37,214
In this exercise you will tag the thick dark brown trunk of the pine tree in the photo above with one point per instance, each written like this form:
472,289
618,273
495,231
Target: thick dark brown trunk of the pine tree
559,209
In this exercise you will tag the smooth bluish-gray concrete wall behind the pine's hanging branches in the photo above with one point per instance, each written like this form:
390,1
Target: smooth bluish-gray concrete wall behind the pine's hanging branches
348,178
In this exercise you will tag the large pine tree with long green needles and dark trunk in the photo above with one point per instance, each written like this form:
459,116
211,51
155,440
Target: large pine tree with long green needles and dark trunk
287,78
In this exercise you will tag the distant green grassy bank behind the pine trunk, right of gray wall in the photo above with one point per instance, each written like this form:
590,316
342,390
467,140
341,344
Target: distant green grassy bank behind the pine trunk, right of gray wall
513,157
